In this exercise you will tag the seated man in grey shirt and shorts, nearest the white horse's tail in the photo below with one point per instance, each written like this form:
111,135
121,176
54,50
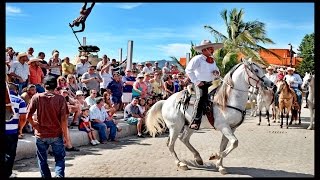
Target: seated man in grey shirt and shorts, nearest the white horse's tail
133,115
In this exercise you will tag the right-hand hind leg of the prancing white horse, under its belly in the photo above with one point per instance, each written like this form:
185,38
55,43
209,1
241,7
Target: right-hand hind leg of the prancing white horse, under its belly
185,138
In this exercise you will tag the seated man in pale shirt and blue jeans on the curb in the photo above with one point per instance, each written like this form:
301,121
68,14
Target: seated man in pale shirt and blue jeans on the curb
101,121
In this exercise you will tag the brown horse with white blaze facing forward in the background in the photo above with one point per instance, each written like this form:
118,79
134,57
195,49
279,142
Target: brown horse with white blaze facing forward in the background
287,100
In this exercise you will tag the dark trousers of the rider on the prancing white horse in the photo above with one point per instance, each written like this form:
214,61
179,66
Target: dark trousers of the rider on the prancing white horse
202,104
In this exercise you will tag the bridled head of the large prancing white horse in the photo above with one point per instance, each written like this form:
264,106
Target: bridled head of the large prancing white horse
256,75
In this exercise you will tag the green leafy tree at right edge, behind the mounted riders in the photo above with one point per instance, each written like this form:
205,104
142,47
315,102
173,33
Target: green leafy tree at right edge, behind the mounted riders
306,49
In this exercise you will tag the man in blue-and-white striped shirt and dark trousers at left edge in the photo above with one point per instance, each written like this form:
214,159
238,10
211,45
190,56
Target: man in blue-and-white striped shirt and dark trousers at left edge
11,134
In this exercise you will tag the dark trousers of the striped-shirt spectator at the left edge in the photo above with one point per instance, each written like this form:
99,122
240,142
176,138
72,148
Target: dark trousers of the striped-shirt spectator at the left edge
11,141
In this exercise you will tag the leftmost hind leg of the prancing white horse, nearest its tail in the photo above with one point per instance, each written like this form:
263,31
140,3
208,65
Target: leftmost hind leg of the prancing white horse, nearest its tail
173,135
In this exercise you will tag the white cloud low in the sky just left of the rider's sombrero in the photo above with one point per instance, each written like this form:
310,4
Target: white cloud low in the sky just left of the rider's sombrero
176,49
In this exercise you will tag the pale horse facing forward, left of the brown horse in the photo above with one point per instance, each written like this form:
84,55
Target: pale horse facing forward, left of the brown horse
265,99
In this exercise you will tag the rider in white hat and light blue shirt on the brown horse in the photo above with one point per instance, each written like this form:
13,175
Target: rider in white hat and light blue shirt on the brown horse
295,81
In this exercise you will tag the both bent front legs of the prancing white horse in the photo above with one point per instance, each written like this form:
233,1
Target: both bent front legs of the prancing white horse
228,133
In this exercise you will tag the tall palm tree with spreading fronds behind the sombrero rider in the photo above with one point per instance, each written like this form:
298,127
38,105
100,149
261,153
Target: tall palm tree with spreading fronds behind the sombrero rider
242,37
